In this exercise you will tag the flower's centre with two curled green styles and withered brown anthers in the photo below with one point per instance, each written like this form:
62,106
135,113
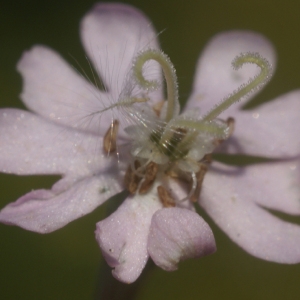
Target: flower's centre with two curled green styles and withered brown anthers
166,143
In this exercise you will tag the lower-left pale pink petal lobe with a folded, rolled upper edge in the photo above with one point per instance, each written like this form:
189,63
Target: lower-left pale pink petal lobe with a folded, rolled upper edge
44,211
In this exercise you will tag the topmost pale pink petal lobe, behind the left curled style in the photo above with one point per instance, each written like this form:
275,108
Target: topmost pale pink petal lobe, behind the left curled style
112,35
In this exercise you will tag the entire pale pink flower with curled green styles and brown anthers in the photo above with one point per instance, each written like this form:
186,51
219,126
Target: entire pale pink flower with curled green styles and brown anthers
159,153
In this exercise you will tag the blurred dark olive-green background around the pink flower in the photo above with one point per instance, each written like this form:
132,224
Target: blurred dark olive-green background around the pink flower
65,264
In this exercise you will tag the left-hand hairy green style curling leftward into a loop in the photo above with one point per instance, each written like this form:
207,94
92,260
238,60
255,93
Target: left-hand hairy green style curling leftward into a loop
169,74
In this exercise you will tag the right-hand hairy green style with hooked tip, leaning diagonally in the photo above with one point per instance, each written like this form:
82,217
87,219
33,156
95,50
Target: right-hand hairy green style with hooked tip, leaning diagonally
254,84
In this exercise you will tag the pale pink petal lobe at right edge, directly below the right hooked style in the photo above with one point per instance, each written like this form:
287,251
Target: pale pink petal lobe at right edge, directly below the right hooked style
270,130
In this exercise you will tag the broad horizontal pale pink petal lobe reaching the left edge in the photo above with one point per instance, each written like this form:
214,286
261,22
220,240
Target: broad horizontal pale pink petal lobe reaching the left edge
30,144
